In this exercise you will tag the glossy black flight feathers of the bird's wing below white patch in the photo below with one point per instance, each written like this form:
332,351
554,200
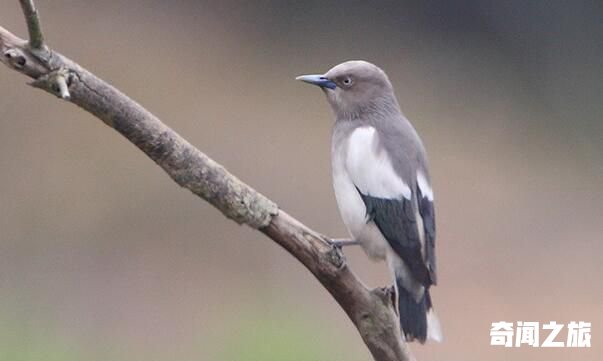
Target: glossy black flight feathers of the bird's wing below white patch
396,219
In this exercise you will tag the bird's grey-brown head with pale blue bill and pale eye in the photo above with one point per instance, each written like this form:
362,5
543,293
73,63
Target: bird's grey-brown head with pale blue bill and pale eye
355,88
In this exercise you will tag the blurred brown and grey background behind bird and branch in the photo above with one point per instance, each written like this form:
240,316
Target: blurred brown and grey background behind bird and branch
103,257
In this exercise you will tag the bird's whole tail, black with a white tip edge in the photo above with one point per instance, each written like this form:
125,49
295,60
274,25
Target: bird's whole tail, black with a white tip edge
417,319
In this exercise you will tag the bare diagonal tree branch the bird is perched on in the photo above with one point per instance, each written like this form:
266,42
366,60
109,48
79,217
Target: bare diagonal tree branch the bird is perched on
371,311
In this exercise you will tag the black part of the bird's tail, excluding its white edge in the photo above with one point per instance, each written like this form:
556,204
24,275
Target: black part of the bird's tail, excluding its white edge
413,314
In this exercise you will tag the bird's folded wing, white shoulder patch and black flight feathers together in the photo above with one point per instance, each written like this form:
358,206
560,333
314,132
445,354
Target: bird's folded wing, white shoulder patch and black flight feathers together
393,205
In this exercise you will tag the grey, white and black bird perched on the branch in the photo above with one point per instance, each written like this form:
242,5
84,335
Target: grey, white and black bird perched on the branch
382,186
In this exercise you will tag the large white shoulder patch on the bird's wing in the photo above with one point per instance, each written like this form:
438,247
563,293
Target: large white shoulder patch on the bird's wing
371,169
